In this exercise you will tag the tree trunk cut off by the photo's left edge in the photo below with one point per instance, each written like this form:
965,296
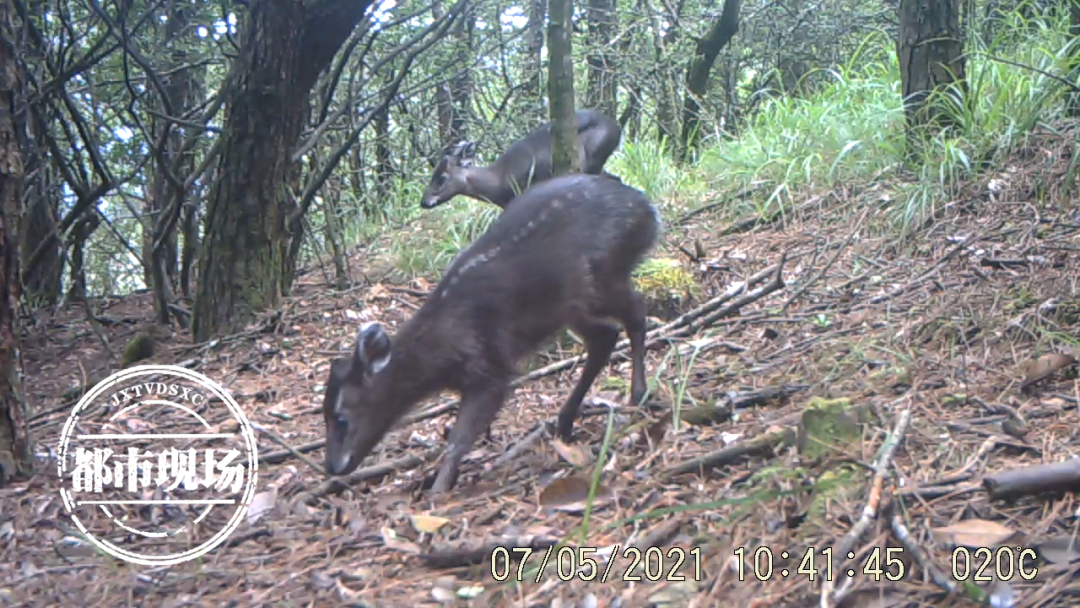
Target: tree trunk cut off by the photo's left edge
16,456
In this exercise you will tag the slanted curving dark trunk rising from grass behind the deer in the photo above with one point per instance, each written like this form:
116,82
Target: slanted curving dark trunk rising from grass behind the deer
697,77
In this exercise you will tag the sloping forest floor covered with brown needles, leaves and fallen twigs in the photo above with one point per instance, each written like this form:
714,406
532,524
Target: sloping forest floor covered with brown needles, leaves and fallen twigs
913,362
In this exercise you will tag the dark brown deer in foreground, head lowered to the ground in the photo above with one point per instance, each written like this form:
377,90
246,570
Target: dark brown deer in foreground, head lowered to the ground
561,256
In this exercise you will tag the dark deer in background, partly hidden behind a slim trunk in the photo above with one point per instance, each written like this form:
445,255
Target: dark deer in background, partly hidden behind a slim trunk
524,164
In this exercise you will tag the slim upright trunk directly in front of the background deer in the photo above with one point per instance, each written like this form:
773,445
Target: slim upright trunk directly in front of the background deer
564,145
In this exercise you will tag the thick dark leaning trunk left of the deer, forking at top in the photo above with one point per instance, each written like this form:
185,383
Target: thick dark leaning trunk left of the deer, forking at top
242,265
